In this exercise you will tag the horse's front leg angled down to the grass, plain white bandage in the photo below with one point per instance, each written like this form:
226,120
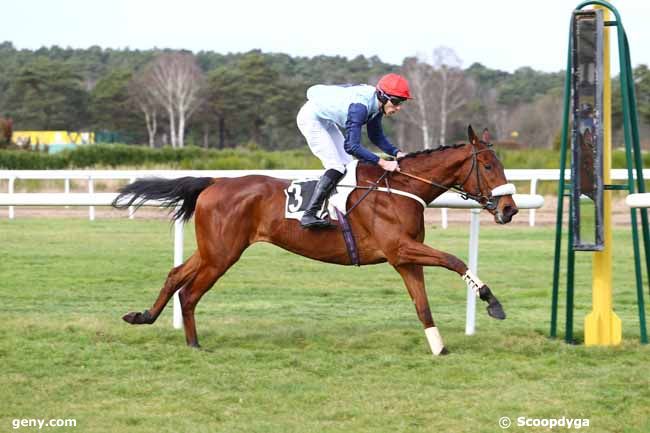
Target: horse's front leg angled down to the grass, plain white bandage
413,276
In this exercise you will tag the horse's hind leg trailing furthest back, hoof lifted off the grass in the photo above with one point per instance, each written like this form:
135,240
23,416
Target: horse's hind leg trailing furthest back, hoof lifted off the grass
177,278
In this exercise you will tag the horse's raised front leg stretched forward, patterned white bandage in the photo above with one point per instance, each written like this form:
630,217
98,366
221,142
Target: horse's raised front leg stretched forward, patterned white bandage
413,252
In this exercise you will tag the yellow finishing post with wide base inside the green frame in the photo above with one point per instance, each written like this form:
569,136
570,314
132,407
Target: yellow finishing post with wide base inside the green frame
602,325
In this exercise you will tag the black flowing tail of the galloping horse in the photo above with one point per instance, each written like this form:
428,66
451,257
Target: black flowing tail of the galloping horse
170,192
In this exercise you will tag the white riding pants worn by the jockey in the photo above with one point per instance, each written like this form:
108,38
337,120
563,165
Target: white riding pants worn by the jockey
324,138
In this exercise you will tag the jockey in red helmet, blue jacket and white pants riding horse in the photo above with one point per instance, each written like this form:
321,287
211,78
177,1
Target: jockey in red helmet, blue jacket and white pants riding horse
332,109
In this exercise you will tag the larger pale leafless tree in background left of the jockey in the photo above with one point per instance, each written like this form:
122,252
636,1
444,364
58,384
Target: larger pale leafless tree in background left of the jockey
175,82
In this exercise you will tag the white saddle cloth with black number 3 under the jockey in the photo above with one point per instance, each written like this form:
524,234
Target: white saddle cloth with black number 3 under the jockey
299,192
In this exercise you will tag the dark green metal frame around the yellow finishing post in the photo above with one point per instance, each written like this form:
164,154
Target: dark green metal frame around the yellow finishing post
634,161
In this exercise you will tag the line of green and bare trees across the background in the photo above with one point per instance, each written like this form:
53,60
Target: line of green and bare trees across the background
165,97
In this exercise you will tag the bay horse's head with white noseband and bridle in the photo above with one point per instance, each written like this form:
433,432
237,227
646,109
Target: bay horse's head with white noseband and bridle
485,180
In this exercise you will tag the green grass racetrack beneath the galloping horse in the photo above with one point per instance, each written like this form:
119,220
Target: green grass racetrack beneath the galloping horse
292,345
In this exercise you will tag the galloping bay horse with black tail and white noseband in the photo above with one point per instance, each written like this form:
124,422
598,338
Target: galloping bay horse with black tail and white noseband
233,213
